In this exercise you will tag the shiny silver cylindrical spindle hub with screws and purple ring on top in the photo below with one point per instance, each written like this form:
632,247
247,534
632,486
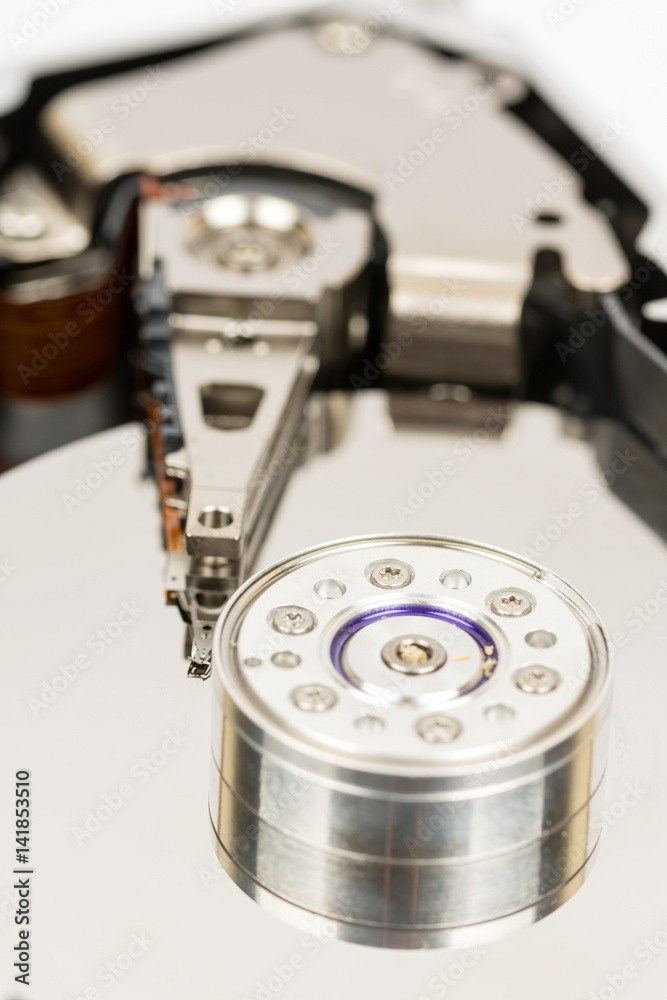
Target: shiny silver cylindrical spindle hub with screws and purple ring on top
409,740
